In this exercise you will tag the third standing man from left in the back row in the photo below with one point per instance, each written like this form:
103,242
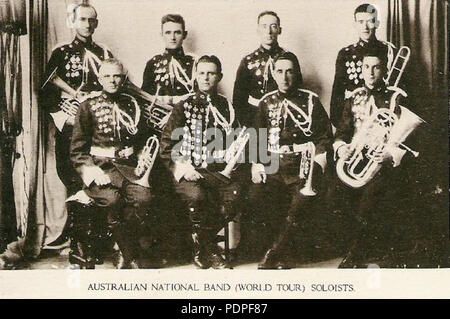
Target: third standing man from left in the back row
254,77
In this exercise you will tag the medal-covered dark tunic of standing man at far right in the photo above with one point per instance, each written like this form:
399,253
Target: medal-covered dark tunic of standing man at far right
348,74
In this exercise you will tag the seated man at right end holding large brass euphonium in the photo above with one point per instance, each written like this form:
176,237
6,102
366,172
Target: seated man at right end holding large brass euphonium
368,153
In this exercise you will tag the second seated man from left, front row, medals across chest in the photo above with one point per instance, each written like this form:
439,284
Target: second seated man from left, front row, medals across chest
186,152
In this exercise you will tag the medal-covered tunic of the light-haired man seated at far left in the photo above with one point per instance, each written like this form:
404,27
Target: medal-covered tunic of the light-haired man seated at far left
108,133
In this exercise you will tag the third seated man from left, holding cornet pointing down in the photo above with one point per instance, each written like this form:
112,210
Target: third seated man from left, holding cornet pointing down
293,118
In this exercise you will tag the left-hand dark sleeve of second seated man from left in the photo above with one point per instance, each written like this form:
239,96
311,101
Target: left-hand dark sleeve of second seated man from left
176,120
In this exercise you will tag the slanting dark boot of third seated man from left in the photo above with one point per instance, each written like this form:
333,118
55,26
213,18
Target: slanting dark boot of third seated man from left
276,255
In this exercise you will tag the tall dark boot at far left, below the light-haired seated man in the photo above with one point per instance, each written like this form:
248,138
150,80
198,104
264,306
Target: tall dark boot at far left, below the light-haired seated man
81,252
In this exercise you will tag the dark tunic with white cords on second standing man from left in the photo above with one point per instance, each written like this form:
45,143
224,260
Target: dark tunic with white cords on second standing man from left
169,75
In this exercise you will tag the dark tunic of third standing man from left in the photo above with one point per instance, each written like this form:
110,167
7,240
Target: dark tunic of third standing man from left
253,80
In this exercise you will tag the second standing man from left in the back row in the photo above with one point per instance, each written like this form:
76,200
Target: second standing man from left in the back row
168,76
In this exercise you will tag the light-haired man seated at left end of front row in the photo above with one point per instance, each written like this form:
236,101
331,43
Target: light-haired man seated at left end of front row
108,135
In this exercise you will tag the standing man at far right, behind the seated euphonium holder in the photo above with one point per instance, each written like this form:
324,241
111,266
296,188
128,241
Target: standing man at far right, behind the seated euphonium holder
348,76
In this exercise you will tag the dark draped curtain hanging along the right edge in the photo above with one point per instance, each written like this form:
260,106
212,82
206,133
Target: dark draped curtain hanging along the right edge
422,26
